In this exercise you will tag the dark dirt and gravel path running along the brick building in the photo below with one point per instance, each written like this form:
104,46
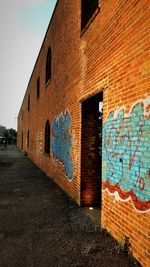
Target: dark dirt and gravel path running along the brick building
41,226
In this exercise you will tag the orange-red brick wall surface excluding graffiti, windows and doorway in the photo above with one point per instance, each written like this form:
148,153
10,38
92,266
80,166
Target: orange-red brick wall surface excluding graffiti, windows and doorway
111,55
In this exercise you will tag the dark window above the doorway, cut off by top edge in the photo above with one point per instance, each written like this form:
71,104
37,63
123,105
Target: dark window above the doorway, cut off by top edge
88,8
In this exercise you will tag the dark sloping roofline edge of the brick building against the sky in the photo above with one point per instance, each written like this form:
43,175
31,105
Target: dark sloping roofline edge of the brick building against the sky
39,54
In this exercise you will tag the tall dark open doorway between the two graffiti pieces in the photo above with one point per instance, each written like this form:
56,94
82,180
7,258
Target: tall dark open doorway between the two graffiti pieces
91,151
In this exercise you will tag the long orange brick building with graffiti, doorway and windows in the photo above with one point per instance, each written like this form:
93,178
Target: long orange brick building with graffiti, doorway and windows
85,117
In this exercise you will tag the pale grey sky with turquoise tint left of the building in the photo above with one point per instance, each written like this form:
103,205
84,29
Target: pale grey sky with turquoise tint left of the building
23,24
